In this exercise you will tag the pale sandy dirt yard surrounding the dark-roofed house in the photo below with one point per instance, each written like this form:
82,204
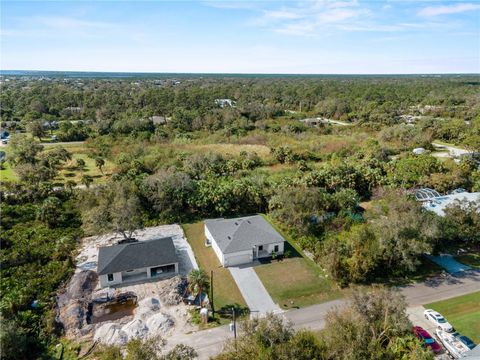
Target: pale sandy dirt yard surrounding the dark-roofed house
158,309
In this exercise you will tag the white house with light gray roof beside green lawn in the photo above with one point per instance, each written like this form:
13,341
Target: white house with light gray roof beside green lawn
243,240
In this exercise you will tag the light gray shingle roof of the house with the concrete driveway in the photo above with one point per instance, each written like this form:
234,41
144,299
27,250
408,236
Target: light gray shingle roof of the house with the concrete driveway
232,235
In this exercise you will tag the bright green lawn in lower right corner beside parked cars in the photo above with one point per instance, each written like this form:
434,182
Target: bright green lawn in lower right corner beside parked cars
463,313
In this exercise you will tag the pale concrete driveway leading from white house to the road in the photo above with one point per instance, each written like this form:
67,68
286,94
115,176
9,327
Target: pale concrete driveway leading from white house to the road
253,291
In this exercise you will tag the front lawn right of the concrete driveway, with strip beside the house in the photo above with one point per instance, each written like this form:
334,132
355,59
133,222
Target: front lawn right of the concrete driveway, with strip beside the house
296,281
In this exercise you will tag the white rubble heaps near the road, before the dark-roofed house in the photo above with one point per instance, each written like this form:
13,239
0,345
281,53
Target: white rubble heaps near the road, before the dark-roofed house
148,321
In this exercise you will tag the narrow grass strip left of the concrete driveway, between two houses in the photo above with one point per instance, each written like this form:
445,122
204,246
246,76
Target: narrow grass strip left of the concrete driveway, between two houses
225,289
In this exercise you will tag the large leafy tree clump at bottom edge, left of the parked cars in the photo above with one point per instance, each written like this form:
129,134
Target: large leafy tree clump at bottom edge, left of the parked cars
373,325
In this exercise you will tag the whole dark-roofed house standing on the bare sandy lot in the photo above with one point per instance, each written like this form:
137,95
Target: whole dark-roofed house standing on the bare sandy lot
137,261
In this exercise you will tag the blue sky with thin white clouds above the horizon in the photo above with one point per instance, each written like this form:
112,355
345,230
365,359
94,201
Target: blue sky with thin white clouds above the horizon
328,37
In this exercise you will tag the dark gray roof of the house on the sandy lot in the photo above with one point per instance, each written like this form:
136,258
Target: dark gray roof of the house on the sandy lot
136,255
